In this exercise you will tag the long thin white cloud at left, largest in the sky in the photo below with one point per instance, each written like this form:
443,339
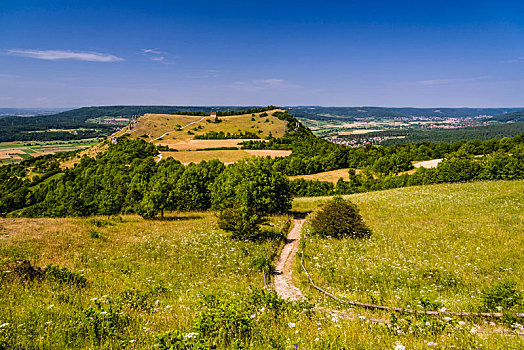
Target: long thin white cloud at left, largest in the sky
53,55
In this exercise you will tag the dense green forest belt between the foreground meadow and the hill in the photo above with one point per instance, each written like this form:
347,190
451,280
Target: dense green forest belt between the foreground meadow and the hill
126,178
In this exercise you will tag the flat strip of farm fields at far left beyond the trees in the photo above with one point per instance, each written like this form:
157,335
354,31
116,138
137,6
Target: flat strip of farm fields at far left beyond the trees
12,152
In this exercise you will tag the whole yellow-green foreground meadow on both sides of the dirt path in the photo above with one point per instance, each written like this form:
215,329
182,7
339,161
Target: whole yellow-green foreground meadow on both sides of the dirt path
146,278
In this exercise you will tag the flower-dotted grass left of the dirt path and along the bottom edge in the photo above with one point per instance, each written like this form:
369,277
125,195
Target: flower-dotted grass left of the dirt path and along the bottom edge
188,255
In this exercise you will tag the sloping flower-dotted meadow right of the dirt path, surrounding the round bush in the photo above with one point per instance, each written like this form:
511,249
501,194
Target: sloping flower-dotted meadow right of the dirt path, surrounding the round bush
442,243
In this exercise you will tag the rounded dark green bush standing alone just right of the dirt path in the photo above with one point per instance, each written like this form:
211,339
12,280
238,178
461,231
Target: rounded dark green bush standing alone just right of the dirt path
339,218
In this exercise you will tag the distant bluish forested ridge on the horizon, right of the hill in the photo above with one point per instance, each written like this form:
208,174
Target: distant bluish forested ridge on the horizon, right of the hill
319,112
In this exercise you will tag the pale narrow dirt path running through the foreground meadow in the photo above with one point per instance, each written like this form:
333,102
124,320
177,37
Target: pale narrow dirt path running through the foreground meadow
283,274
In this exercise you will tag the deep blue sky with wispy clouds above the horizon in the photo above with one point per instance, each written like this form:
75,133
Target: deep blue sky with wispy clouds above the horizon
333,53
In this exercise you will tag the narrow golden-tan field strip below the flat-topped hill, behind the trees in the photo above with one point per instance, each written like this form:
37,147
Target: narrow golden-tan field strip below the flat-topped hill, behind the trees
225,156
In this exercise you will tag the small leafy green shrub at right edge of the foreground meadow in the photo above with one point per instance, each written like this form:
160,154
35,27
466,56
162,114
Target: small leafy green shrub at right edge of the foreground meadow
503,294
